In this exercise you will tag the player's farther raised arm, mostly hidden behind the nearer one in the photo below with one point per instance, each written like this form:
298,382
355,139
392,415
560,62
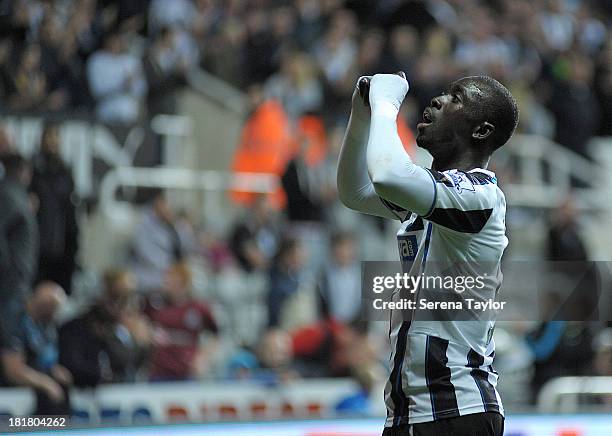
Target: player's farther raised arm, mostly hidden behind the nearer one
355,188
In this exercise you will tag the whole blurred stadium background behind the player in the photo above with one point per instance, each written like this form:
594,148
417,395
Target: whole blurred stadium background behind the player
182,193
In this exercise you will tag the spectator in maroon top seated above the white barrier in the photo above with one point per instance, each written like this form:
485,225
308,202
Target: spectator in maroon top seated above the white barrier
179,320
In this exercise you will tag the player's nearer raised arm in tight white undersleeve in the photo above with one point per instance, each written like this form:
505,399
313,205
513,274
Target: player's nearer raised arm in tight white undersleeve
395,178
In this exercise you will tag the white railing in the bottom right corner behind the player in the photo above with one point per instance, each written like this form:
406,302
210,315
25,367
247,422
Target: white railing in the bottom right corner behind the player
564,394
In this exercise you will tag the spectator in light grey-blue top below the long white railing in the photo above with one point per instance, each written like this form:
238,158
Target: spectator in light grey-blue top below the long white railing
157,244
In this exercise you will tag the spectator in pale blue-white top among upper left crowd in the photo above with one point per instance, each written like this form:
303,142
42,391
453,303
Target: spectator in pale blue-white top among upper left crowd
116,80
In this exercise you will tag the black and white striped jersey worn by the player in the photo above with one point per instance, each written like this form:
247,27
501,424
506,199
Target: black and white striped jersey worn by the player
443,368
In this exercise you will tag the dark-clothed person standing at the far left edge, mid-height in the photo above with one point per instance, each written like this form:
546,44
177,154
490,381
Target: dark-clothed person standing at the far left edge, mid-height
18,238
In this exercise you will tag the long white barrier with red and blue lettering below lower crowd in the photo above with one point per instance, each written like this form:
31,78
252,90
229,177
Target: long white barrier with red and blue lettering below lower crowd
194,401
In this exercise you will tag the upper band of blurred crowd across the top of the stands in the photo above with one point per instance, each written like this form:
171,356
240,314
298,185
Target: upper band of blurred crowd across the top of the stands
123,59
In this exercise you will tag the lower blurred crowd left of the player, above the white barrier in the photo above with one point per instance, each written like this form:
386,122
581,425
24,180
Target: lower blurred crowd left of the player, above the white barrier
145,319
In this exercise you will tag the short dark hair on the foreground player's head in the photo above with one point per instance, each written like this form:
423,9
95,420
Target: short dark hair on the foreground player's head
500,109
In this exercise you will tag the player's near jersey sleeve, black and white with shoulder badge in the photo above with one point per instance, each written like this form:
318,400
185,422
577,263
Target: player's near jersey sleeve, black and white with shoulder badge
463,201
